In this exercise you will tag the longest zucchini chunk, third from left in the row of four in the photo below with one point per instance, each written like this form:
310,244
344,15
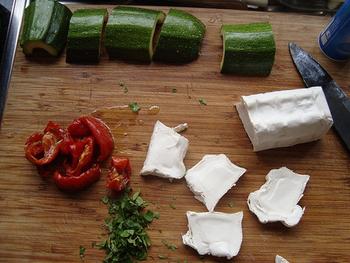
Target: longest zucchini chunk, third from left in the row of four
130,32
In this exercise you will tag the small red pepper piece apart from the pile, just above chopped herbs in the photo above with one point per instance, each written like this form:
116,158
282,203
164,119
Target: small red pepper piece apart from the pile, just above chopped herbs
119,174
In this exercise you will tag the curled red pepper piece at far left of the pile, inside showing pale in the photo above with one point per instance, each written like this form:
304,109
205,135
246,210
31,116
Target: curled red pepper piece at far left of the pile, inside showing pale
42,149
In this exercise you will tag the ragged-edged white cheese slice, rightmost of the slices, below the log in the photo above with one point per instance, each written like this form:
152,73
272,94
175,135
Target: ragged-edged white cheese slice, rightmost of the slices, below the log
277,199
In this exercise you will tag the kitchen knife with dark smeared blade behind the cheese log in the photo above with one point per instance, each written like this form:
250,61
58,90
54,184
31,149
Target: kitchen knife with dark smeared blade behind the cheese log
313,74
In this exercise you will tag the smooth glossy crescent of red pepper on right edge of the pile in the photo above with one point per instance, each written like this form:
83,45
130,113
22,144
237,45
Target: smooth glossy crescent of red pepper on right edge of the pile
102,135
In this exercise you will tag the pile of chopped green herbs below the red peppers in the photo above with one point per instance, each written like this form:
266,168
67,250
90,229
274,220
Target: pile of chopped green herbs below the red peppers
127,239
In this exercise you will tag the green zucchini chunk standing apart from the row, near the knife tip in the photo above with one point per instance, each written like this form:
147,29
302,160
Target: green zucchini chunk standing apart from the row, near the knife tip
248,49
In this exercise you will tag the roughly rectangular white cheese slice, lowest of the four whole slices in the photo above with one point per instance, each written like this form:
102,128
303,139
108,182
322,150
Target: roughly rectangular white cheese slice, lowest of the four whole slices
214,233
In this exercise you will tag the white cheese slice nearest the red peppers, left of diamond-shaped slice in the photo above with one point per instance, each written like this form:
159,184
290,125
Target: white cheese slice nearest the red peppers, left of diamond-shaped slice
165,154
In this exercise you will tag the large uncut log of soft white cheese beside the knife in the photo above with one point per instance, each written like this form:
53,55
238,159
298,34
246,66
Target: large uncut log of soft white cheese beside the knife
285,118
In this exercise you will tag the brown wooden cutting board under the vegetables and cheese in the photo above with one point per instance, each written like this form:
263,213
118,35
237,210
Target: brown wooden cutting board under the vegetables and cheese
38,223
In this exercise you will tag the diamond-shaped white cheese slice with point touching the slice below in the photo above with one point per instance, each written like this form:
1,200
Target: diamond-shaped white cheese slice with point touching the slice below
211,178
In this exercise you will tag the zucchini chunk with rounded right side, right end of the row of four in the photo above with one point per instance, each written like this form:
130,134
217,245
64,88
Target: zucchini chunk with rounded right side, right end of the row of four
180,38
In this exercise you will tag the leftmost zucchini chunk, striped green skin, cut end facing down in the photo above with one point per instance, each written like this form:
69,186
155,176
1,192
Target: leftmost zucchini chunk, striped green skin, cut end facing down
45,27
